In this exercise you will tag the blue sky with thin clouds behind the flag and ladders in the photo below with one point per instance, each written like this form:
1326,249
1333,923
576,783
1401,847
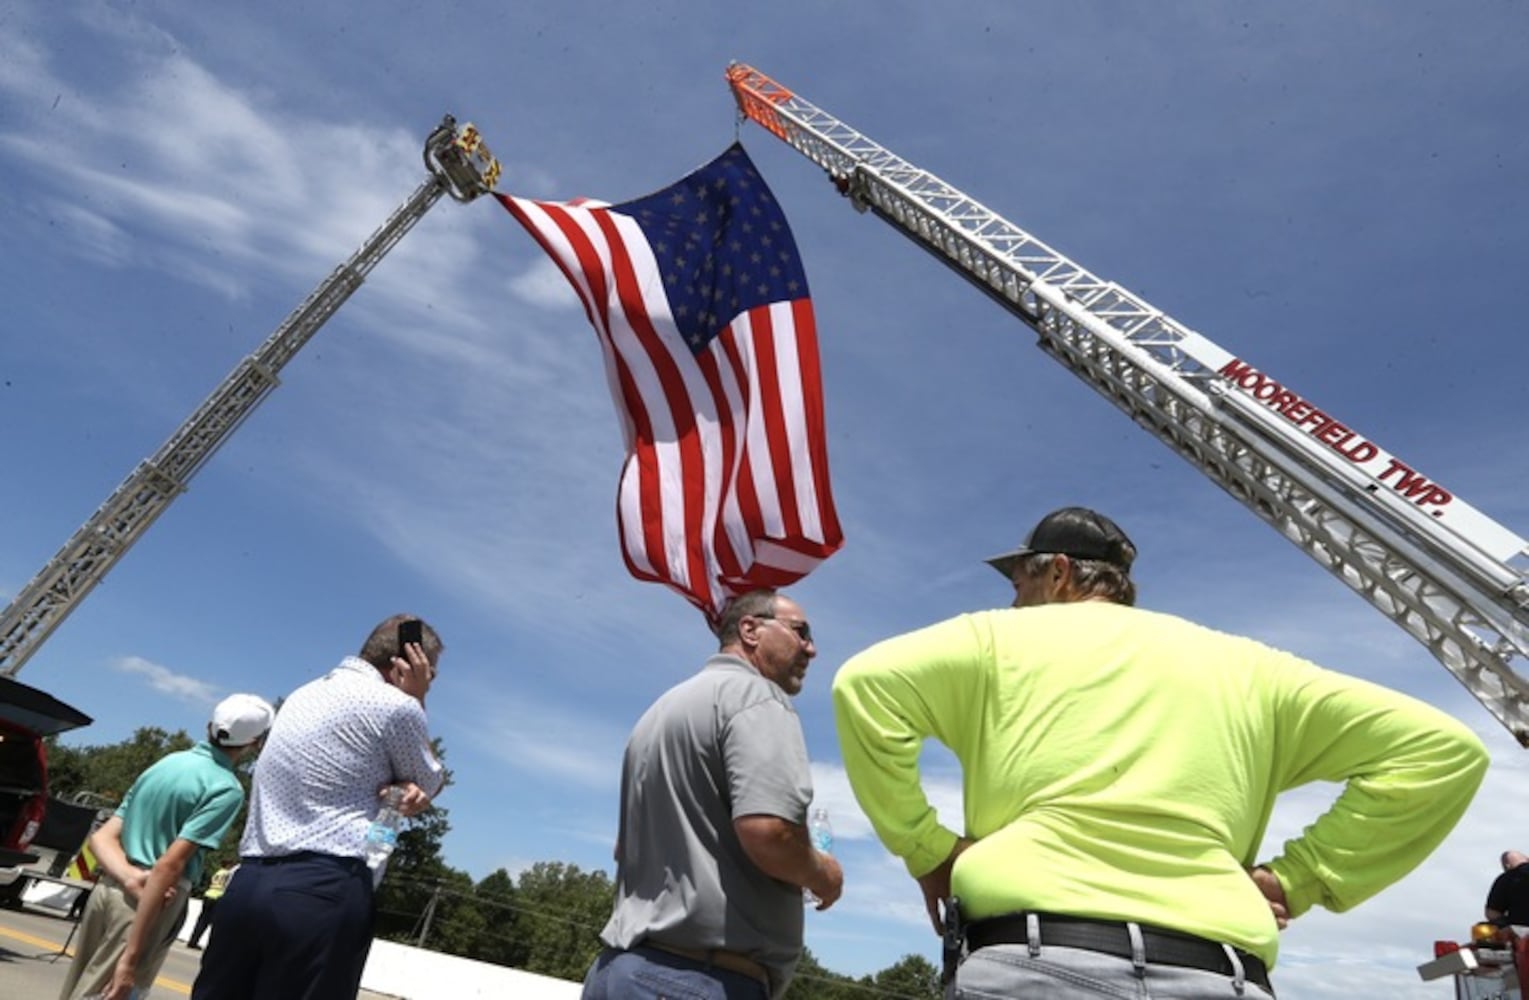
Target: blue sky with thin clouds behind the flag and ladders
1333,192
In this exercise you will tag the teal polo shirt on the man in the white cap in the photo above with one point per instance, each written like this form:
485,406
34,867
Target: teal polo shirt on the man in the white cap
189,796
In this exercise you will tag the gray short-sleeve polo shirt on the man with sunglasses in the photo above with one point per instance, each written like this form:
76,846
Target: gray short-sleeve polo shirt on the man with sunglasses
722,745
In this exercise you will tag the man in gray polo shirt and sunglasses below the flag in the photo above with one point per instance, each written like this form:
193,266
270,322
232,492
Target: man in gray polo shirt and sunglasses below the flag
713,851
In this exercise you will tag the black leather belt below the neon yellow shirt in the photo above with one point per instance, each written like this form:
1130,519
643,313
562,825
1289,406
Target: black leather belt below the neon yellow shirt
1163,947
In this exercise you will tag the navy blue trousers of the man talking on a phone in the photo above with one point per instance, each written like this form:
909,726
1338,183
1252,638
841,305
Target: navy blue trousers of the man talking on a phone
290,929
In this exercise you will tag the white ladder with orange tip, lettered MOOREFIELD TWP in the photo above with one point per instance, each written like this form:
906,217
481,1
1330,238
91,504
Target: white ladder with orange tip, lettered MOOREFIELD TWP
1443,571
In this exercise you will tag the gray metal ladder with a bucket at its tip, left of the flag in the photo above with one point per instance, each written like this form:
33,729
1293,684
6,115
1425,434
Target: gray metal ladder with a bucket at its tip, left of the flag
459,166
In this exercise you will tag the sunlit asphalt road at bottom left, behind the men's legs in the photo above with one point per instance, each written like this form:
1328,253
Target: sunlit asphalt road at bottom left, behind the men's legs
33,963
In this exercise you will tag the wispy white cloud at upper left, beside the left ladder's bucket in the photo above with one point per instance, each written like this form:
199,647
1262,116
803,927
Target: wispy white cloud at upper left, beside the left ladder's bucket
213,174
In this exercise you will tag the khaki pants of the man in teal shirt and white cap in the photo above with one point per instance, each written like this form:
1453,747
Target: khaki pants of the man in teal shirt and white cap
103,938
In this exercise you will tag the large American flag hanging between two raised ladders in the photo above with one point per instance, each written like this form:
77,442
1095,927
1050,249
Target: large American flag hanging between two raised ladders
701,305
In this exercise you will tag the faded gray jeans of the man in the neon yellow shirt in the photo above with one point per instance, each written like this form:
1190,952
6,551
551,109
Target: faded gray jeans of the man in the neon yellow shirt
1010,972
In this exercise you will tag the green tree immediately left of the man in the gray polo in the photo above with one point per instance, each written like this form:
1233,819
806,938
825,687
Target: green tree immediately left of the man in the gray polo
562,911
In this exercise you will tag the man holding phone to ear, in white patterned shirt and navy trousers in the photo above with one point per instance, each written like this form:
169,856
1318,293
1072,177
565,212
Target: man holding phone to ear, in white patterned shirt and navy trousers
296,923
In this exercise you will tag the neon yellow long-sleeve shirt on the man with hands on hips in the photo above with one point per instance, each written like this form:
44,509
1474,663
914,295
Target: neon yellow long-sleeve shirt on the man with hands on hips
1120,764
